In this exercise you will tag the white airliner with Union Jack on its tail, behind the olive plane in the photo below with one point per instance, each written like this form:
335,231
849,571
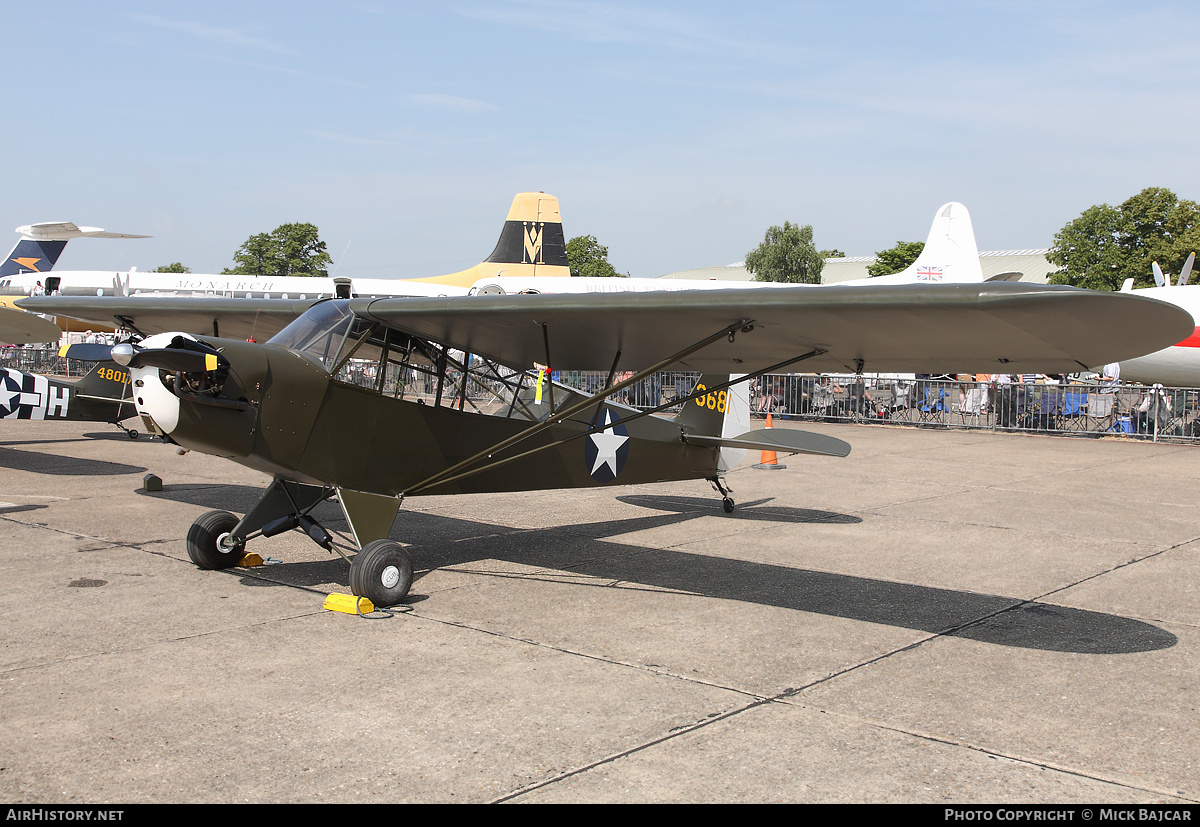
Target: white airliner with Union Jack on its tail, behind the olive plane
950,256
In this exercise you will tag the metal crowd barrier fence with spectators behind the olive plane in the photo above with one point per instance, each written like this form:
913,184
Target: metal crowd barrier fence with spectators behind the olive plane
1035,405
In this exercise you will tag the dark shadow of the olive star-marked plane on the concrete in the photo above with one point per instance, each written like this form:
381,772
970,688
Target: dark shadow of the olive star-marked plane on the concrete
584,549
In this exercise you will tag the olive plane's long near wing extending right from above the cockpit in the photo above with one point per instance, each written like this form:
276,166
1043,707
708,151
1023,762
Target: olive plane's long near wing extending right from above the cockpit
928,328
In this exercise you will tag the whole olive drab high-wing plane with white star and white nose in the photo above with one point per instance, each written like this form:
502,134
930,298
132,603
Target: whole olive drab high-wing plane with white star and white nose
326,406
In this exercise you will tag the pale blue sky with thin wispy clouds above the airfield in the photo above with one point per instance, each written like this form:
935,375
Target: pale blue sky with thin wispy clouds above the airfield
674,133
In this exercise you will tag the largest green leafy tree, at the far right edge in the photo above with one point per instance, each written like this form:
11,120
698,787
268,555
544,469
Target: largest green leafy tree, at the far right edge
1106,245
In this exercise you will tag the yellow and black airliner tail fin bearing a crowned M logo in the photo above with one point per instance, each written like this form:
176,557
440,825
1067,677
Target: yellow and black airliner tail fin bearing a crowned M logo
531,244
